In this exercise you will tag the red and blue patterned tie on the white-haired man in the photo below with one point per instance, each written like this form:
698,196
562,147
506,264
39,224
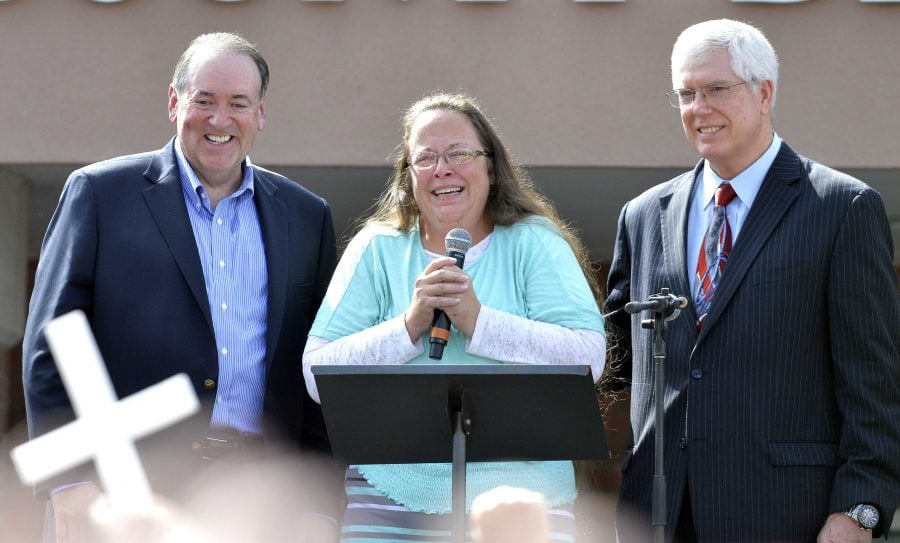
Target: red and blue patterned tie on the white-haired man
713,253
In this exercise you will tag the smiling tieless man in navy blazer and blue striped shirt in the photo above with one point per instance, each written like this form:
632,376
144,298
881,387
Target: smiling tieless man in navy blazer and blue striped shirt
189,259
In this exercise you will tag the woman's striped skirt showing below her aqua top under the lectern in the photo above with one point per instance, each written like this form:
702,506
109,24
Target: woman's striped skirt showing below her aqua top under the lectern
372,517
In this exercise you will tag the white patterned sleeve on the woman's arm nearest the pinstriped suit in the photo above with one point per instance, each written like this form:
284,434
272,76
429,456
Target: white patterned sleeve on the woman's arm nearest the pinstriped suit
518,340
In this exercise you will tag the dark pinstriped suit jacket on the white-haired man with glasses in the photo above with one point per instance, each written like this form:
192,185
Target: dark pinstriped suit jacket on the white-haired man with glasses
786,406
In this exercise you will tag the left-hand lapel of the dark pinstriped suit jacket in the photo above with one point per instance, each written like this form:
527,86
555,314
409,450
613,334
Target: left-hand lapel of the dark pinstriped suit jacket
674,214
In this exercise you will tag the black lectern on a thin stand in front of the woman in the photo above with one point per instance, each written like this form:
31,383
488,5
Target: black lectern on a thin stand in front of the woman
458,413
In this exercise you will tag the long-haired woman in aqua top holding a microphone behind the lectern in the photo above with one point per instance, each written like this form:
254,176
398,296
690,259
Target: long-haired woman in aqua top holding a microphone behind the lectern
526,295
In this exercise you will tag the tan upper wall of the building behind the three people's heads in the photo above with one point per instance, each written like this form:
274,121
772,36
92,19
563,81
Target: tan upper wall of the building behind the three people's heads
569,83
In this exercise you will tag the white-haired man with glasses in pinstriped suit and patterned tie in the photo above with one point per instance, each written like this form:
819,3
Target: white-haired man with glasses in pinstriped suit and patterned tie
782,420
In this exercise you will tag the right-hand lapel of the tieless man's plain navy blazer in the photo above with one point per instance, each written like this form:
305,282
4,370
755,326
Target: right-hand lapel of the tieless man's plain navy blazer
273,222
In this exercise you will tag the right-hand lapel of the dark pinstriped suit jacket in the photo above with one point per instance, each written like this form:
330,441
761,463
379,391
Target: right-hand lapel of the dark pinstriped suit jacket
776,195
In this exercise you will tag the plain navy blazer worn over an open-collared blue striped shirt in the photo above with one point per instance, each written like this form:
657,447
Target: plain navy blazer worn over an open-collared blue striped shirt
120,247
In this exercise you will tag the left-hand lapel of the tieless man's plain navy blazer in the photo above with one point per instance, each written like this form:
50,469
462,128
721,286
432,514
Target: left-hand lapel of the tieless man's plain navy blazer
165,199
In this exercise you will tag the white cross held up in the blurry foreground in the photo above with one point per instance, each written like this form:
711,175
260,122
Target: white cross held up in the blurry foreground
106,428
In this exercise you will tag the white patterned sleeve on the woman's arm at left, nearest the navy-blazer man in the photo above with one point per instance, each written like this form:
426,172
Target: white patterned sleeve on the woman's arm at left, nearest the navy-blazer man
385,343
